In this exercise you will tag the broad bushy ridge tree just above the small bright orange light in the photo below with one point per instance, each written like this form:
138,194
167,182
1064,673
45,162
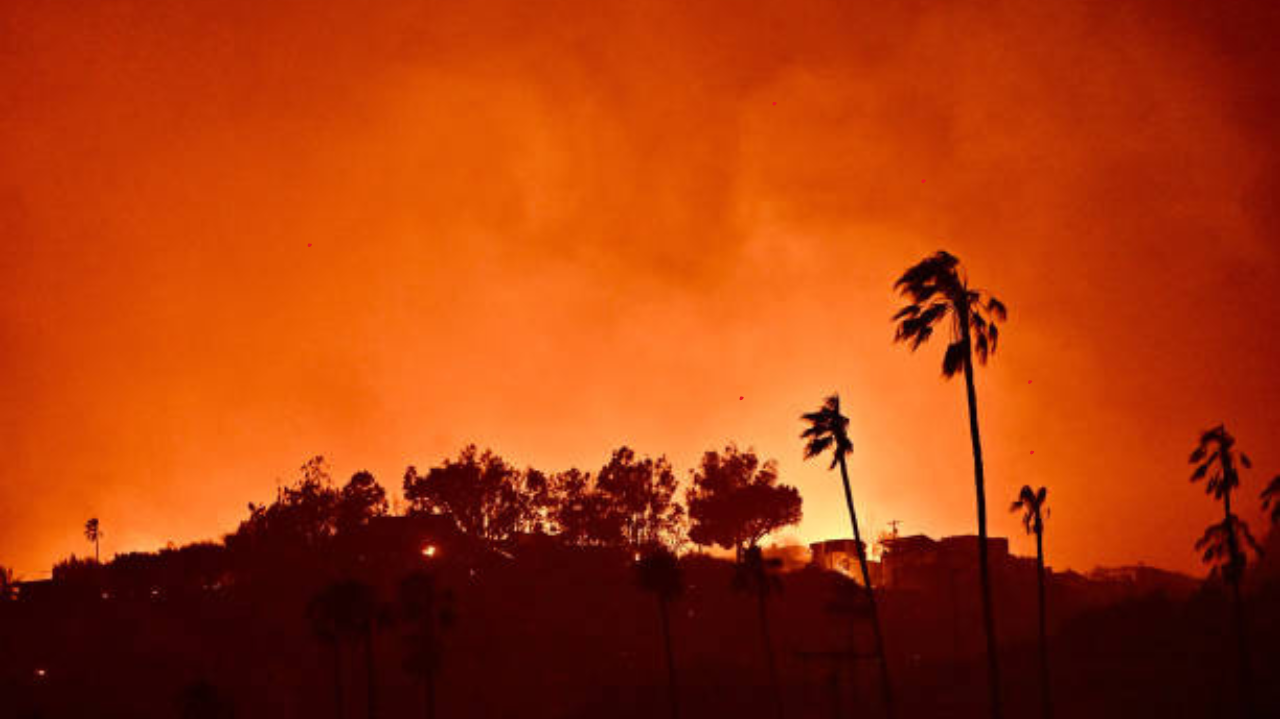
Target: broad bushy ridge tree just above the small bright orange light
478,491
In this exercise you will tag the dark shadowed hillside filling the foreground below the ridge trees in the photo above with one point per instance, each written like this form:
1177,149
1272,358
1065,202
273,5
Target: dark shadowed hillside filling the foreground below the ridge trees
569,633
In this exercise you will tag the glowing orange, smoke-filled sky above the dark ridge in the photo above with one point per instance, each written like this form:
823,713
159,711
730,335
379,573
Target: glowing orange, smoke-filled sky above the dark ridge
236,237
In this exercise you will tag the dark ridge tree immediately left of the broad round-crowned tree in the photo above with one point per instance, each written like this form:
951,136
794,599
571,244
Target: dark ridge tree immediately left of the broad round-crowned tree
642,493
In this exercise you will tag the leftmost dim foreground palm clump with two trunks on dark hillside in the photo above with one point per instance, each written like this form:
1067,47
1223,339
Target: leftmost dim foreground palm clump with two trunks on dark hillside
346,610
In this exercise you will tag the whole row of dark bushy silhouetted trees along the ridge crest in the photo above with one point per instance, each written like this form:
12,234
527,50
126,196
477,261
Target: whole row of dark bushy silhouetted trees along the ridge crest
734,501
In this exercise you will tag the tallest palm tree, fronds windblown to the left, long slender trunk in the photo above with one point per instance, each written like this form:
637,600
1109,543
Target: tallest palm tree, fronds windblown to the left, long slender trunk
939,292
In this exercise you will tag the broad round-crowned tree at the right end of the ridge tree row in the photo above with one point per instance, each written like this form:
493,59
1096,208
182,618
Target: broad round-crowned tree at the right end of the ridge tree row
735,501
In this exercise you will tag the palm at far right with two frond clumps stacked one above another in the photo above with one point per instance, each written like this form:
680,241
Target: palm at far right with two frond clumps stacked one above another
1218,461
